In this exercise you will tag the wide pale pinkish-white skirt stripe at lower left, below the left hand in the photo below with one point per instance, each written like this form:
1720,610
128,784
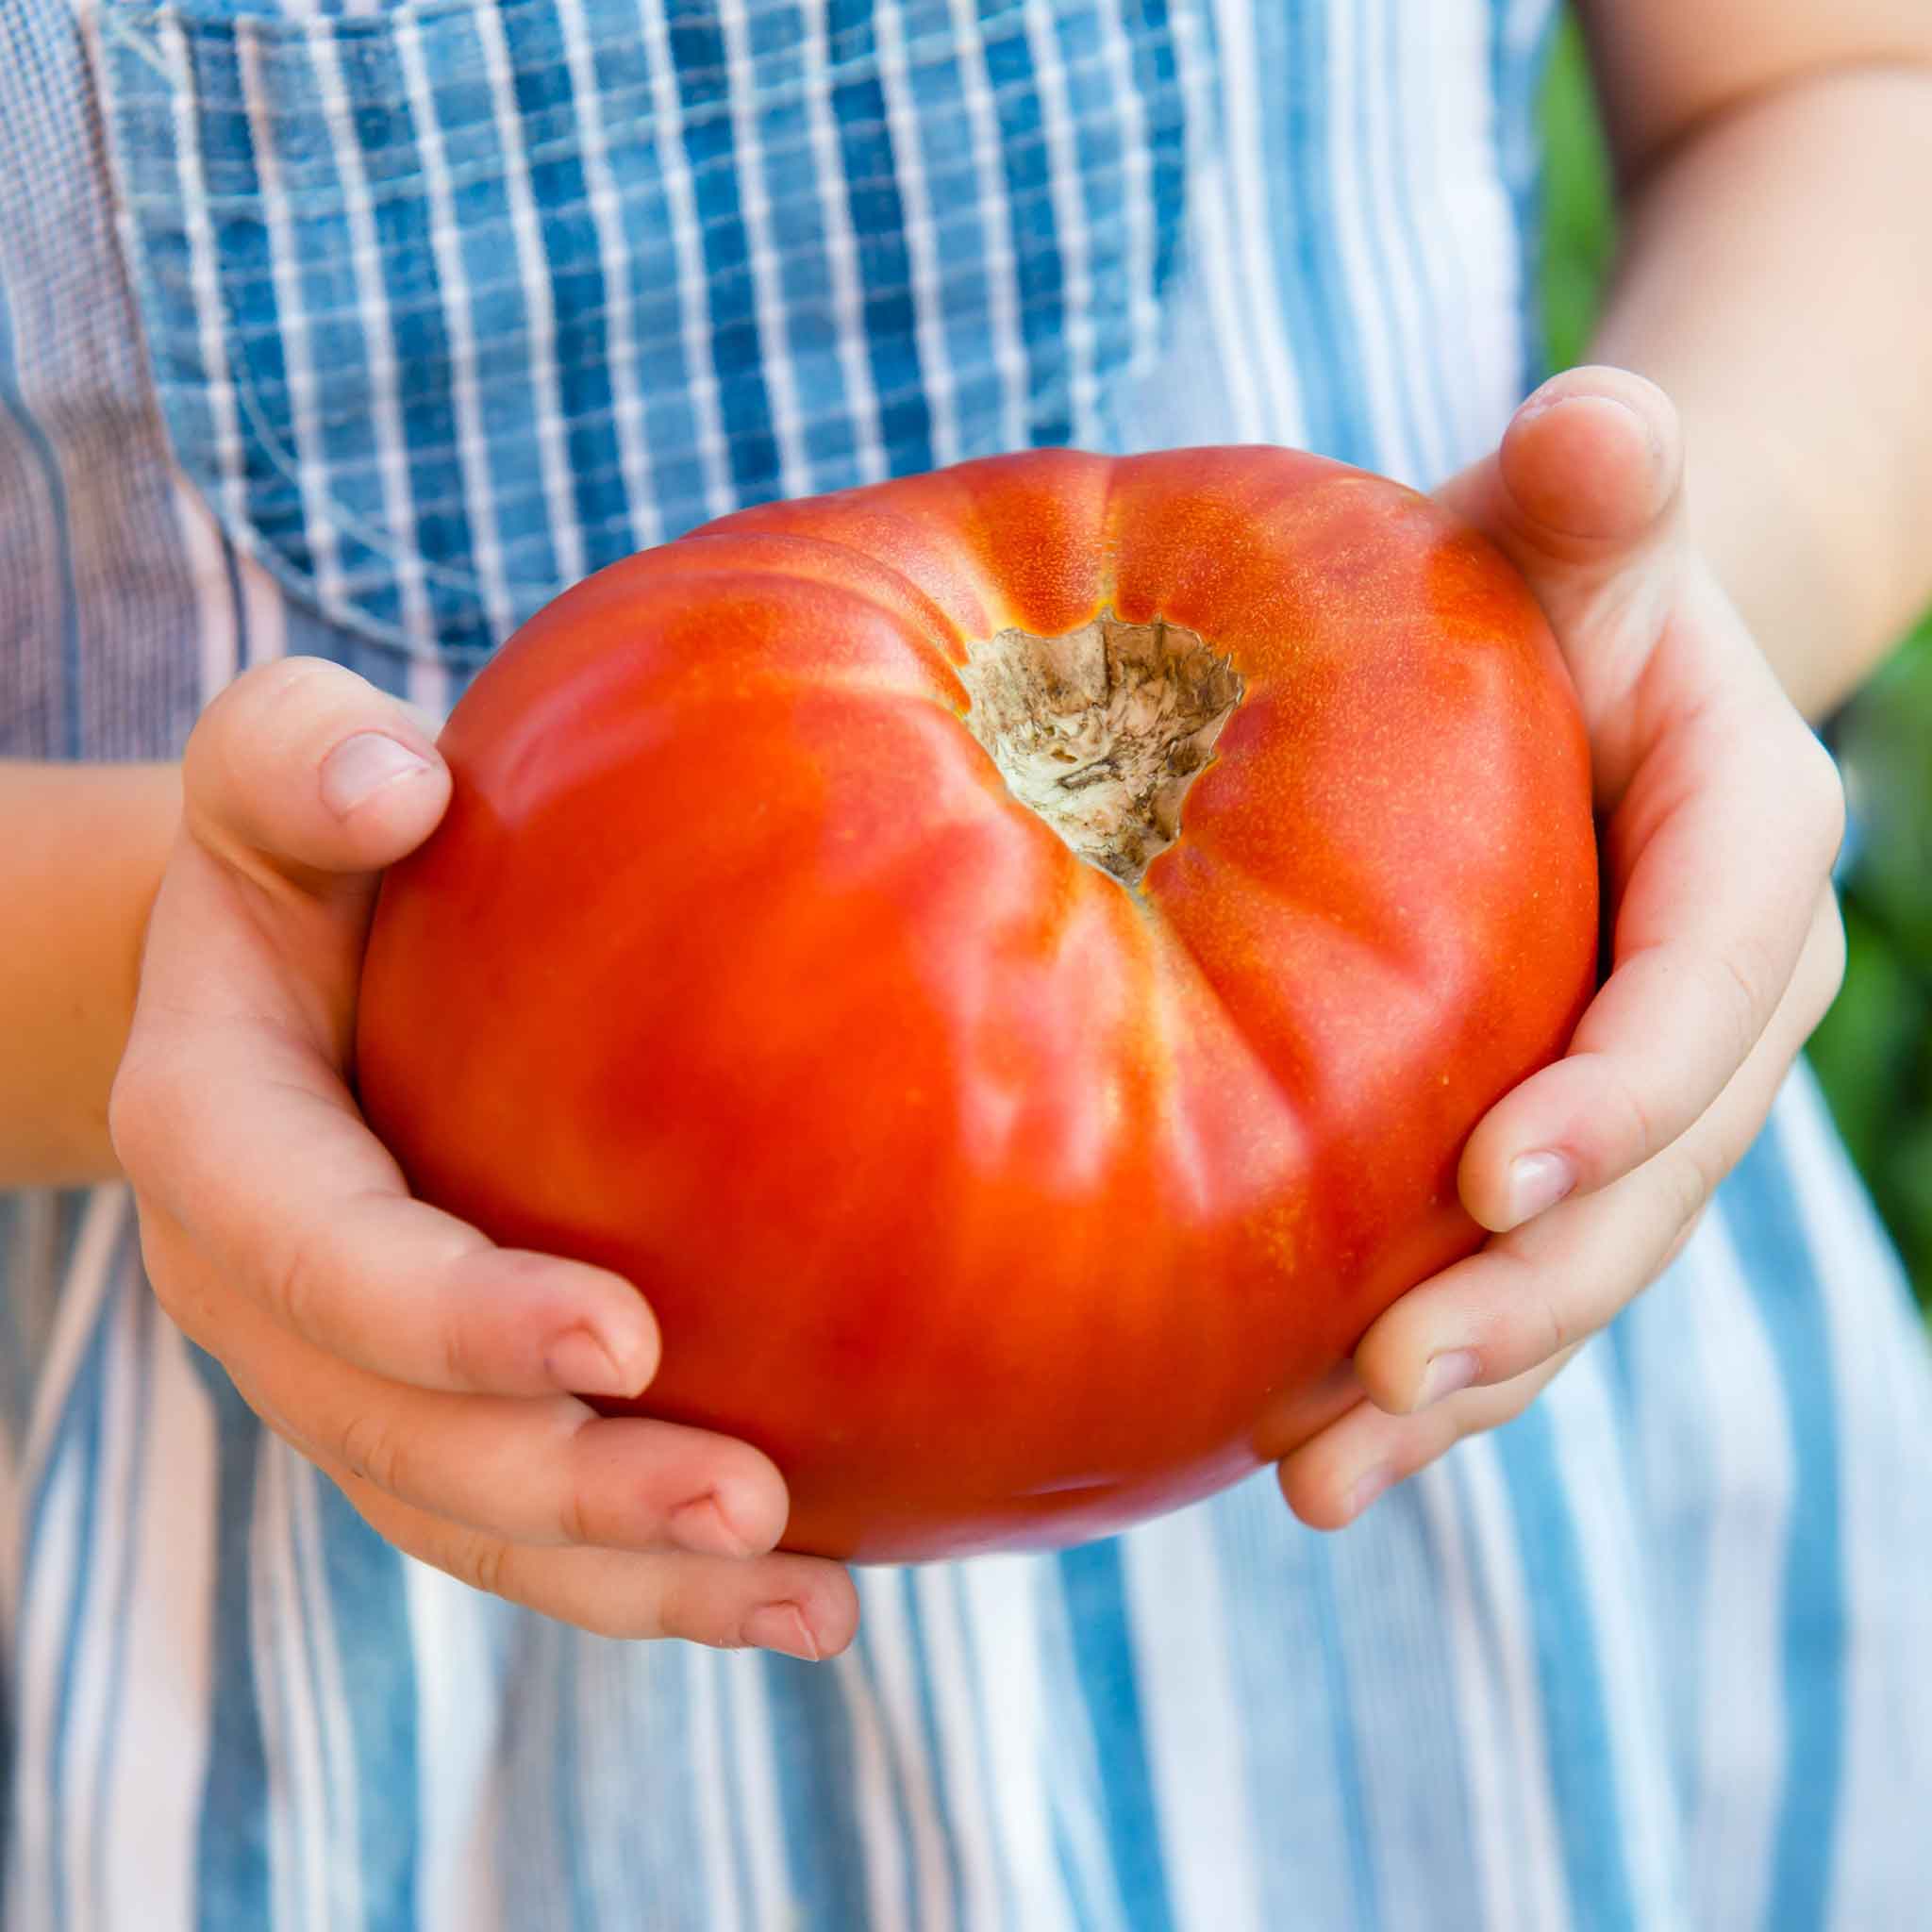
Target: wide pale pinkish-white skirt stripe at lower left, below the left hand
154,1794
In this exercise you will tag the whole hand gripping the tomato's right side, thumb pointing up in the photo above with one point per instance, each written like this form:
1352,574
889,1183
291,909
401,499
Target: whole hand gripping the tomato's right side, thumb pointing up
1720,818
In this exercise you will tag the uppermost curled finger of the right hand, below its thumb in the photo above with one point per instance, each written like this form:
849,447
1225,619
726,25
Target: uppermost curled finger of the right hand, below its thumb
1711,930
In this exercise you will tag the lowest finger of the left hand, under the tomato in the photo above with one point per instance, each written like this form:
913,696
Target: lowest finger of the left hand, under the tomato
799,1606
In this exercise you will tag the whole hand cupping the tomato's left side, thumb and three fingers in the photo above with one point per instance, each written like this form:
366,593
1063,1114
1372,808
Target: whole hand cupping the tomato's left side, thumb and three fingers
416,1363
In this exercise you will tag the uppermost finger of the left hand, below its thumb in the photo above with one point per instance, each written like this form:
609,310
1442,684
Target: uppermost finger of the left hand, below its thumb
248,1141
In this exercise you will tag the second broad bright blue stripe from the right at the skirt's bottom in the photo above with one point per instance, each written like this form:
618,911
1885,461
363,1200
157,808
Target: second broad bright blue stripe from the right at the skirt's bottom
1577,1724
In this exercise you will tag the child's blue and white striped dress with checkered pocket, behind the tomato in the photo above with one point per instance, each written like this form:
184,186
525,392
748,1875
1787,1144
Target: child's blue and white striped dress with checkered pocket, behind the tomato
358,331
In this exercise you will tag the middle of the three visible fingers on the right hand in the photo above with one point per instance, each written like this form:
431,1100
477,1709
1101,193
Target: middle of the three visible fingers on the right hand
1533,1295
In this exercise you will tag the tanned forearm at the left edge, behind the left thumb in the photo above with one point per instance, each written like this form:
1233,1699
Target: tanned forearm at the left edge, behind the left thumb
78,872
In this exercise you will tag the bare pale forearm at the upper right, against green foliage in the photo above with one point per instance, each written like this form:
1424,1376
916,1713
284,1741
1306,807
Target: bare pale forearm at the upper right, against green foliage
1776,281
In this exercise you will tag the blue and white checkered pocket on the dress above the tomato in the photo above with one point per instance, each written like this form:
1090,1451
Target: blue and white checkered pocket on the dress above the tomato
457,302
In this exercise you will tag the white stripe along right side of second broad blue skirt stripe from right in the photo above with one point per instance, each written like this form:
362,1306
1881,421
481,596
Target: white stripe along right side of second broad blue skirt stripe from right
1620,1595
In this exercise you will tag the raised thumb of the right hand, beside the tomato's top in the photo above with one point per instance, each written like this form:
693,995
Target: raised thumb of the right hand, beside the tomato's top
1587,482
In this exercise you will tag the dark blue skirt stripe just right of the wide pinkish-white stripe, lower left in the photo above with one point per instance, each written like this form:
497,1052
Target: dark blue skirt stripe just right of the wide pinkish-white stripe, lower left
233,1842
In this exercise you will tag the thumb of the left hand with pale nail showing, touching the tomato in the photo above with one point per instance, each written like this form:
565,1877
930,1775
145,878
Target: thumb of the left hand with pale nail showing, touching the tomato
302,768
